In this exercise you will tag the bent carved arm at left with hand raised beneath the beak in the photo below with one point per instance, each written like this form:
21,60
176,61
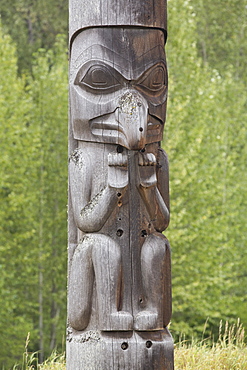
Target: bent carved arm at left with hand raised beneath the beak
90,214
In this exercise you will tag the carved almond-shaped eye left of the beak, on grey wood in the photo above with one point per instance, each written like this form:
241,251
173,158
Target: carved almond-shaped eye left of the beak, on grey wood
99,78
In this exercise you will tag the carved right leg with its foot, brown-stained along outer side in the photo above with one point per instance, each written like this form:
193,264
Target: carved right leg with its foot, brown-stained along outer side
156,275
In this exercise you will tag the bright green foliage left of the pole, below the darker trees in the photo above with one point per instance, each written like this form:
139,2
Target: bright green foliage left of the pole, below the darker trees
33,200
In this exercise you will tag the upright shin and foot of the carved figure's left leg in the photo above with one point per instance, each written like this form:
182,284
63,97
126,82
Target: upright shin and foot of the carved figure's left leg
106,258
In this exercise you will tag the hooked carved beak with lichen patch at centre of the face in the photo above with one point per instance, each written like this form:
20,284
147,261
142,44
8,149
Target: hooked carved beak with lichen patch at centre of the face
132,116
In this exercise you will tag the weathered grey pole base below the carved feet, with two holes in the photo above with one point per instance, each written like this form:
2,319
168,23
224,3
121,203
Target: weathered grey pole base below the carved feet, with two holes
121,350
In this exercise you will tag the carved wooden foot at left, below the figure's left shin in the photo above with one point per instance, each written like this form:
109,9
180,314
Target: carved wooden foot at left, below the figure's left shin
118,321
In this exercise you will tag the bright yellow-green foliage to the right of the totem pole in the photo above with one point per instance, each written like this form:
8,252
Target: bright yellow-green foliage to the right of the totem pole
205,138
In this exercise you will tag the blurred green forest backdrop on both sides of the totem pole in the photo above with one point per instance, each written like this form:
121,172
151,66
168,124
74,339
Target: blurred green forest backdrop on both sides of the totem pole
205,138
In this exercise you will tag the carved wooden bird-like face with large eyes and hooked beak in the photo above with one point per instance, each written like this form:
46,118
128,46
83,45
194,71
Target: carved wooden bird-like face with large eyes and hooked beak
118,86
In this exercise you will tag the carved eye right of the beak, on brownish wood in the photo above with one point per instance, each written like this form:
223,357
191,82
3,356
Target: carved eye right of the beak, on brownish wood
154,80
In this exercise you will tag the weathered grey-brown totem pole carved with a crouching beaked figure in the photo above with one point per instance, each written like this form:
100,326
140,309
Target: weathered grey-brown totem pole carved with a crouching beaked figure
119,284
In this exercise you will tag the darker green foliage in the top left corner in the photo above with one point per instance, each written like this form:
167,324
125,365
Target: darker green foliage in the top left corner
33,25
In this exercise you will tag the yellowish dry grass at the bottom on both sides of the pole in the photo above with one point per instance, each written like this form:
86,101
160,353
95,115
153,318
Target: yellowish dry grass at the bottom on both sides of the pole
228,353
